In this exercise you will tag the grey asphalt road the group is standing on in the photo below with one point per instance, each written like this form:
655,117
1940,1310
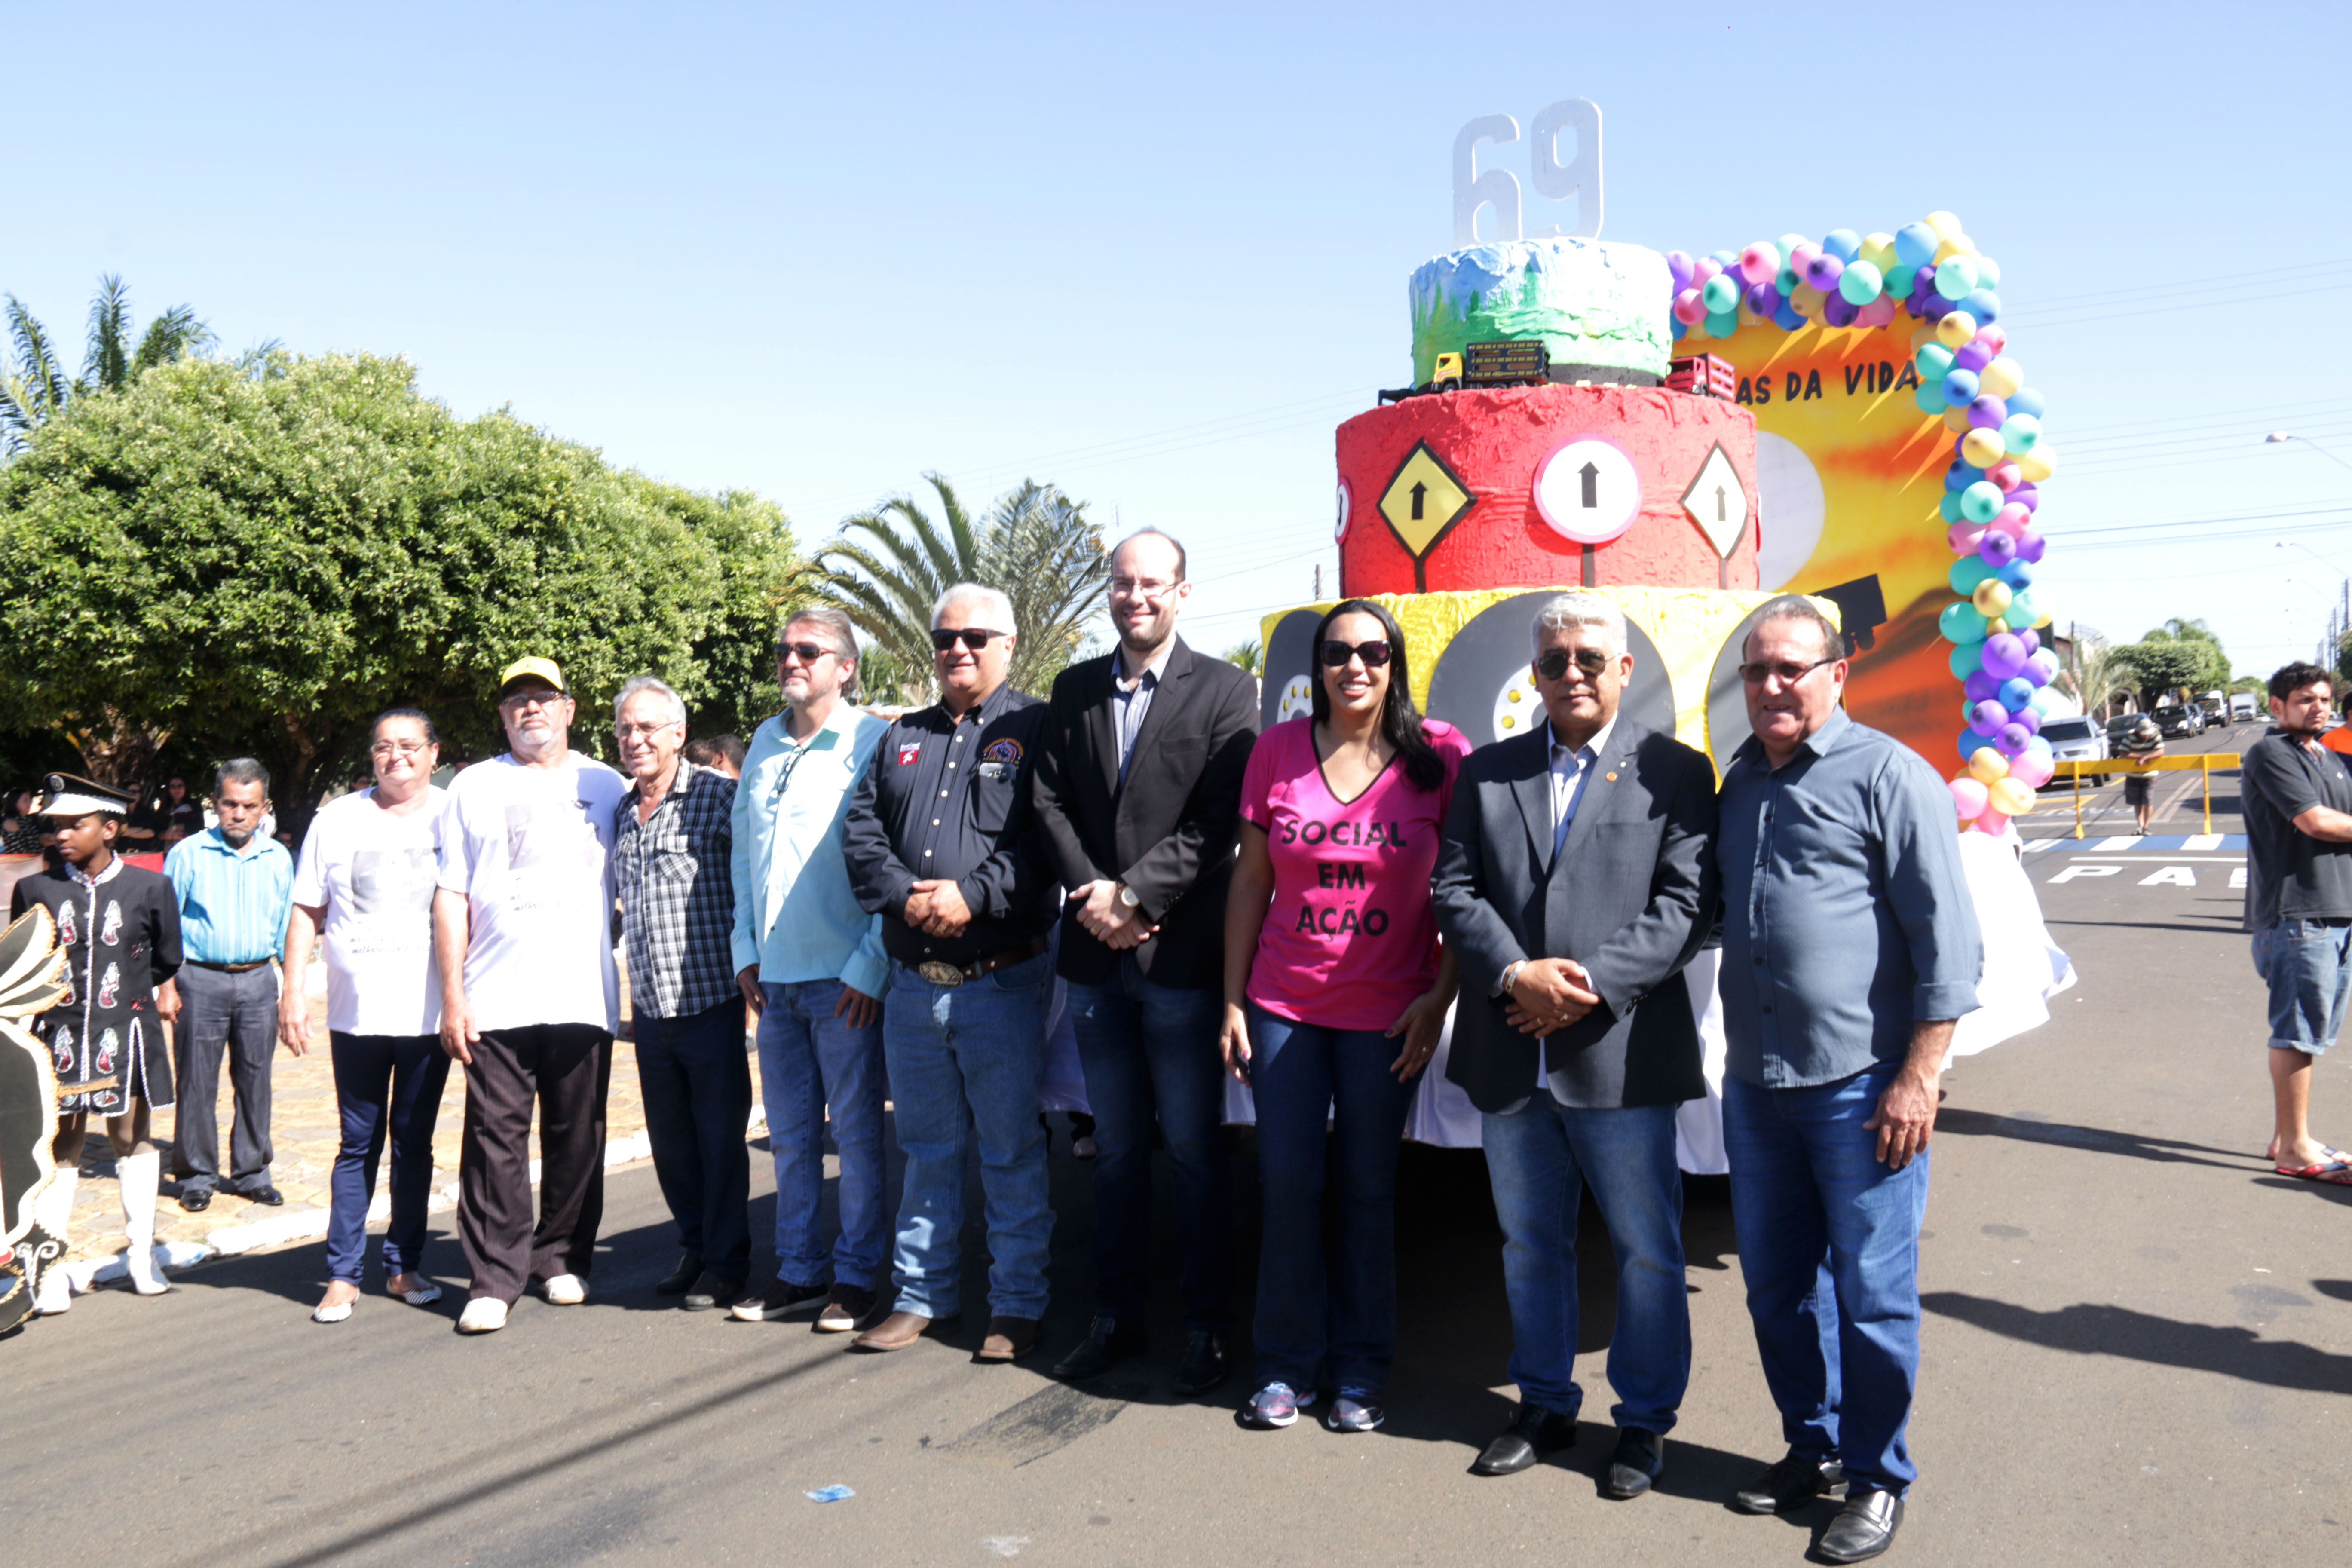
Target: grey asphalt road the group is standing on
2139,1346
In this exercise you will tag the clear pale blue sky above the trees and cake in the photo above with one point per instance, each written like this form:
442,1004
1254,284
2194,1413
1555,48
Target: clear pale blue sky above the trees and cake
1158,255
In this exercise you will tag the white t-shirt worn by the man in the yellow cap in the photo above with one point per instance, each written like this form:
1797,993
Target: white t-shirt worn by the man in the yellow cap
533,855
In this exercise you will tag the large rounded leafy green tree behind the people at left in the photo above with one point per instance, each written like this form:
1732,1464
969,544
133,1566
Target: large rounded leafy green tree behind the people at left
260,563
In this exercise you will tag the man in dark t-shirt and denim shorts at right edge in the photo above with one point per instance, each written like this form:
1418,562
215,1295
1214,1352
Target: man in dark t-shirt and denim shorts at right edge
2299,904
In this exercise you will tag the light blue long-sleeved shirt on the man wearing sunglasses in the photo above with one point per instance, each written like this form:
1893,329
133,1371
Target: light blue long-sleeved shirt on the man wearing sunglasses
796,916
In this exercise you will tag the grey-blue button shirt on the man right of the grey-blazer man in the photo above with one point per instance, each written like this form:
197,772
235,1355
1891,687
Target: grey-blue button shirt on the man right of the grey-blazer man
1847,916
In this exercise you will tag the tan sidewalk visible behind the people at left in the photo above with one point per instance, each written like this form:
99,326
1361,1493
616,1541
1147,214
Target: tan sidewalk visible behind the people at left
305,1134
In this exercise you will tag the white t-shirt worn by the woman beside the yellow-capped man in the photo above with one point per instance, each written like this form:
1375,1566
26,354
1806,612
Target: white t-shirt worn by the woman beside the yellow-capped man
375,873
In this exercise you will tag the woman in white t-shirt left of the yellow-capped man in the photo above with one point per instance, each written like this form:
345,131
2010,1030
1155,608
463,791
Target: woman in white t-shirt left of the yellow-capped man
366,880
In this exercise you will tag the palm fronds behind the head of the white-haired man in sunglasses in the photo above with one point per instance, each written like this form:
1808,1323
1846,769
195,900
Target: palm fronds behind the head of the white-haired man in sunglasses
890,565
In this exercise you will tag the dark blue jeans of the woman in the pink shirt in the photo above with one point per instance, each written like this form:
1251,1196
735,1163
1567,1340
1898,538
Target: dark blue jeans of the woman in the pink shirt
1309,1320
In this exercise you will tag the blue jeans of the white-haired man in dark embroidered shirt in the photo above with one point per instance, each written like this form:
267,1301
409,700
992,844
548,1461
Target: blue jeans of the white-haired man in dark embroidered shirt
965,1061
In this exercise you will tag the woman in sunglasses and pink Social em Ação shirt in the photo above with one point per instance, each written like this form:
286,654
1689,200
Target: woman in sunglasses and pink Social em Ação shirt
1335,996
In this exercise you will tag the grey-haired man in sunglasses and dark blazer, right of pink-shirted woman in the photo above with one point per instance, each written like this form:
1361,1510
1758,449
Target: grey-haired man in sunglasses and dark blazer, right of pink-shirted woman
1575,885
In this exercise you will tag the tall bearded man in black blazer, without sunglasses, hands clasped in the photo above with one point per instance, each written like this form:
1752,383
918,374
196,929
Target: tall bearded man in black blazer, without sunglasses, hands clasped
1140,796
